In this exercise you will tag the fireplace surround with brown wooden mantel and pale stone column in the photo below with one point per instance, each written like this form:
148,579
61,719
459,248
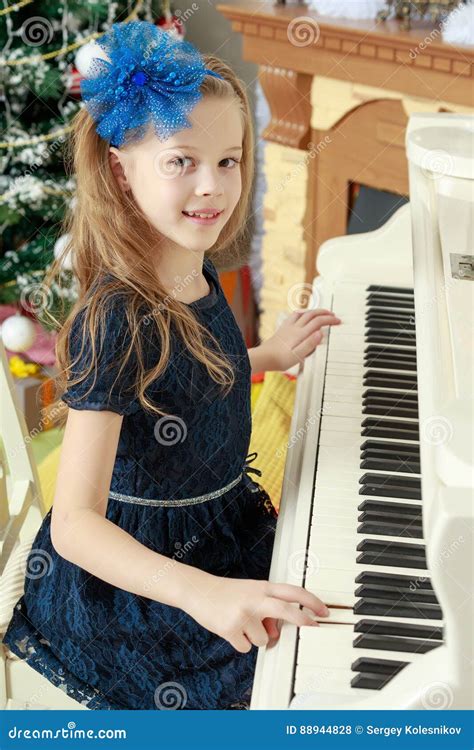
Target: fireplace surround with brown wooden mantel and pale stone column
340,93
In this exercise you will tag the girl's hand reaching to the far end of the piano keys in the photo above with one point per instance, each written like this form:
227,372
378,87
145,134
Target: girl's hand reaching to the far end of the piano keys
298,336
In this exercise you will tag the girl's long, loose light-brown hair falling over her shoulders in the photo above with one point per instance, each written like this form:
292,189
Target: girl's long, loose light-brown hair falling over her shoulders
108,233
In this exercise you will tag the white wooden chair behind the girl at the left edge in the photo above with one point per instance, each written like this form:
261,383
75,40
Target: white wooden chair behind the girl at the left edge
22,510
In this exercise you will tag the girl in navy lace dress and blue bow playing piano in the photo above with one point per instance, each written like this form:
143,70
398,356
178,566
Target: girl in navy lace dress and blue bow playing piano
154,588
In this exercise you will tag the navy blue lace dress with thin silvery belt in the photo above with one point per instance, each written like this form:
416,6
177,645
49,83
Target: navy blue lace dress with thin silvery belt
181,487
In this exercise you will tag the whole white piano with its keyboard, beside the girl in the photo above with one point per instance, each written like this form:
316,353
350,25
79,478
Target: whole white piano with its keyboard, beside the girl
376,516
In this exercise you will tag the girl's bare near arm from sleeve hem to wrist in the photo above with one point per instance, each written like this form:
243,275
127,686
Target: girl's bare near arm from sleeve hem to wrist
80,532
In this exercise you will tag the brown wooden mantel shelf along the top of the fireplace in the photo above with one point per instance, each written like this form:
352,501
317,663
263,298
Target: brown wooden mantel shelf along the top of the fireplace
347,50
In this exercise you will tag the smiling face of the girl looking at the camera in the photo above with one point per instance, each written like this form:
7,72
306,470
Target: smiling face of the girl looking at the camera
196,170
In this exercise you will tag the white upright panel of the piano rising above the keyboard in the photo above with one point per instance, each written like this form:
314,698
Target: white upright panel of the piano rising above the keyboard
440,150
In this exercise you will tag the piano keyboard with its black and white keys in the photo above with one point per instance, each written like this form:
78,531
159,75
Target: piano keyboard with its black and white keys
366,553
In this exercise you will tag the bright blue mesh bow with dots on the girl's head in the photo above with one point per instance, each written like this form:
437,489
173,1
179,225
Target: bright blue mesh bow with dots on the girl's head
150,77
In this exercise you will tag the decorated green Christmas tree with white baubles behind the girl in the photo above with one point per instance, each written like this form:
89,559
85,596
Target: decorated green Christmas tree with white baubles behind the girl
44,53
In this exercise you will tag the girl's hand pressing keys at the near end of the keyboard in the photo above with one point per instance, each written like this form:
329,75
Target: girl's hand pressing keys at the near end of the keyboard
245,611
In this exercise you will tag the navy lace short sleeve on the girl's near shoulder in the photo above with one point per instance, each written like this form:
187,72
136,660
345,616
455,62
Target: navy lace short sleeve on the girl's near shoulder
107,386
